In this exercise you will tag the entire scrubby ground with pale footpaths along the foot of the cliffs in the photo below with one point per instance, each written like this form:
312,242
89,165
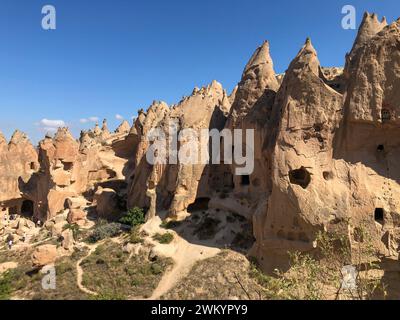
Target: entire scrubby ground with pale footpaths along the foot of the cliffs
163,259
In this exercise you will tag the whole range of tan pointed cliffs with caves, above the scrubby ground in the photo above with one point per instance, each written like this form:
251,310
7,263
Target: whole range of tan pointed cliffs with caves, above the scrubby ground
326,145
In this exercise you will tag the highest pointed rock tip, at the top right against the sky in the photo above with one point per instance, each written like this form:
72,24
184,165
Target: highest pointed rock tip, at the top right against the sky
369,27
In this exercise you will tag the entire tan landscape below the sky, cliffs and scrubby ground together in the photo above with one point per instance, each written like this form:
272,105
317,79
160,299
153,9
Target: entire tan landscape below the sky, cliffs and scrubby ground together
323,193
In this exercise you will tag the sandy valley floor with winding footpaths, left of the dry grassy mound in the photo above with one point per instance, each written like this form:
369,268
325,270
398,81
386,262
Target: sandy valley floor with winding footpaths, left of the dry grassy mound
147,264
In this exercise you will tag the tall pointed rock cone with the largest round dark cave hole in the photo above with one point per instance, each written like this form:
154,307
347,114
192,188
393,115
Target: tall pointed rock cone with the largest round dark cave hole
306,113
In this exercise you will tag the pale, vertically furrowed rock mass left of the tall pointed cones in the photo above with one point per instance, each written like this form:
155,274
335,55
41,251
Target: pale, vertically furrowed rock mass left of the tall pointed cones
169,186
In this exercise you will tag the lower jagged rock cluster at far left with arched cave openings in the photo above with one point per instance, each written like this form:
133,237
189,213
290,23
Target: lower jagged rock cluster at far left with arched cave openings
64,173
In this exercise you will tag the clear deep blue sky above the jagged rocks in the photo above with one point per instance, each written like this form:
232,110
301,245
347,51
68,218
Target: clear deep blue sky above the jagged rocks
110,57
